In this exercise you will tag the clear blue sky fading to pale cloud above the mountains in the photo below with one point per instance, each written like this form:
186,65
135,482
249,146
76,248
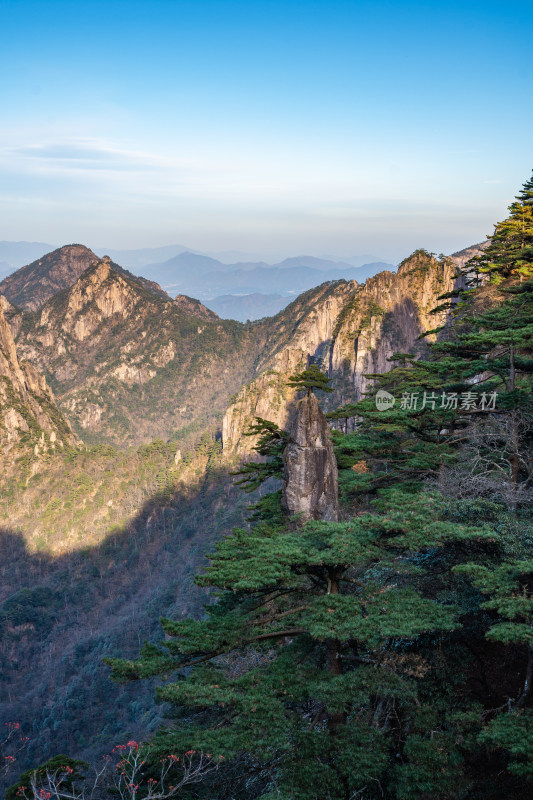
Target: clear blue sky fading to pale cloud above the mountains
276,128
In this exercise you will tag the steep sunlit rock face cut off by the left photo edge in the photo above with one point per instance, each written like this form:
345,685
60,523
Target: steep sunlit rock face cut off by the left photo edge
30,422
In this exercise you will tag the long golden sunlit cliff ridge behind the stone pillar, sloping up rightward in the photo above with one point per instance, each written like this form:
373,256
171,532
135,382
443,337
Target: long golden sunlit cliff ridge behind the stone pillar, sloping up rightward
349,331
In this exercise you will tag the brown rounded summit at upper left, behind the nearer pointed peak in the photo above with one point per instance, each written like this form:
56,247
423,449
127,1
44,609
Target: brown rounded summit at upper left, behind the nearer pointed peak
31,286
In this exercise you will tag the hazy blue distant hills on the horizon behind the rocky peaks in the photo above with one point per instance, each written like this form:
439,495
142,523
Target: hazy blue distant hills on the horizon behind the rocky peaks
246,288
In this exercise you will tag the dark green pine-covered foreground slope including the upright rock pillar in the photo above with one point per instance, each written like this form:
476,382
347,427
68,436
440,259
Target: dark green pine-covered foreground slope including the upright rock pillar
379,647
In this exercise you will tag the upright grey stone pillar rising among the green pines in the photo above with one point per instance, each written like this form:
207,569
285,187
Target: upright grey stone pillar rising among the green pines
310,486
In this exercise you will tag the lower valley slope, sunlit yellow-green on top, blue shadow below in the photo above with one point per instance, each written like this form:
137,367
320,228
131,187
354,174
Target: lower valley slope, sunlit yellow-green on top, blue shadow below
118,544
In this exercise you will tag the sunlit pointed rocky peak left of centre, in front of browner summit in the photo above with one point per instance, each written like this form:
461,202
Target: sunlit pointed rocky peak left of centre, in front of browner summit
129,365
